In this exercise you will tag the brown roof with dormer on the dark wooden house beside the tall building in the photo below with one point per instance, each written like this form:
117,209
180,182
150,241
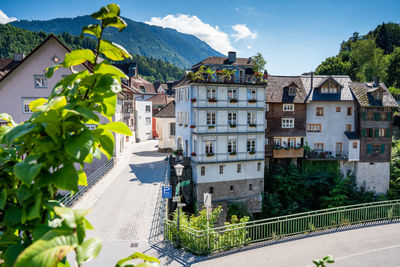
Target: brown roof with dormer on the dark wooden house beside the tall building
277,89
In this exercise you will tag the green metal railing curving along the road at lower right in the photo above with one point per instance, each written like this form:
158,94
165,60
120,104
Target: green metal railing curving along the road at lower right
237,235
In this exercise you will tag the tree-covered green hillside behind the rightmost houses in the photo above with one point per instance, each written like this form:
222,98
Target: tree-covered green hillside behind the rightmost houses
363,57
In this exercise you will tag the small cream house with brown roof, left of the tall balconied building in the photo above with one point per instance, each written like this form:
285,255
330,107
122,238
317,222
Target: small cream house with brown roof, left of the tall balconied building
165,127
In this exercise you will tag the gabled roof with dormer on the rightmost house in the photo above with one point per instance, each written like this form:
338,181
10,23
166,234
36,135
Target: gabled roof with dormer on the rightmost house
363,93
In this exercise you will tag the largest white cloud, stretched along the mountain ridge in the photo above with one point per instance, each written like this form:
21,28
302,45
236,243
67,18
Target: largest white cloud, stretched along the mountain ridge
213,36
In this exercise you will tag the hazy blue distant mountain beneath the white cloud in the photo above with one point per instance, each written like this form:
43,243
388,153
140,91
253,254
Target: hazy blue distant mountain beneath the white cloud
182,50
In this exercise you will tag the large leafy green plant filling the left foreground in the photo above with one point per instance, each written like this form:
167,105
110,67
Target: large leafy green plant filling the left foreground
47,153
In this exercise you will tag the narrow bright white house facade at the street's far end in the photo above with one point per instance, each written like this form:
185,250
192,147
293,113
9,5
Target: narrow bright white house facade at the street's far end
143,130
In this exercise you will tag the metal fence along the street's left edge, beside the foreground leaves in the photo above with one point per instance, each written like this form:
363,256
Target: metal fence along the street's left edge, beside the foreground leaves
70,198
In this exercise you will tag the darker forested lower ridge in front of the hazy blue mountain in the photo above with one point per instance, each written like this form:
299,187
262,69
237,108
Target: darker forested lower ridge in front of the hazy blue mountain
16,40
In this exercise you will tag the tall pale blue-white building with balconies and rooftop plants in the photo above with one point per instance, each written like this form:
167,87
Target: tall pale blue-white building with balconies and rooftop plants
220,126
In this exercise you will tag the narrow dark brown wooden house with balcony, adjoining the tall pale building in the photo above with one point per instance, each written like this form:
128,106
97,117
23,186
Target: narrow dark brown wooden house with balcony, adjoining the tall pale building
285,120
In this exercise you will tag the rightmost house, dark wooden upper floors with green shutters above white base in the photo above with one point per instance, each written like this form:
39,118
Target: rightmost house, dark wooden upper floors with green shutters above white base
374,112
